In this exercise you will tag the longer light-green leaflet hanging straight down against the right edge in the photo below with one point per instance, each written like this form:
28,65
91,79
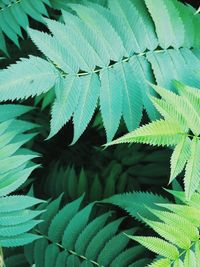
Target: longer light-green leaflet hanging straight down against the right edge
192,173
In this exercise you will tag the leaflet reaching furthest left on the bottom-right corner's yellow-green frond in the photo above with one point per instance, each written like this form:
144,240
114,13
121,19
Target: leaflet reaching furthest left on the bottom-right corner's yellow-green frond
158,246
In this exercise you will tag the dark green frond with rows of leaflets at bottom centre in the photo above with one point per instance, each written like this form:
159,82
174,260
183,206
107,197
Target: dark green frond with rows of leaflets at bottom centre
77,236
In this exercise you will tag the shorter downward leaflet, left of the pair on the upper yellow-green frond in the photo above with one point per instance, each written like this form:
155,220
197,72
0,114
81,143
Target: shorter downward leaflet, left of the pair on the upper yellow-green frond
179,157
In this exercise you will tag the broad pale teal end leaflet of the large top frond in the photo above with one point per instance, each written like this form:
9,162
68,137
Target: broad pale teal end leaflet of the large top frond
29,77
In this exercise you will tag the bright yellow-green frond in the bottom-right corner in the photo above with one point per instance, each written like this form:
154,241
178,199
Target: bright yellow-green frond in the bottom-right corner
179,228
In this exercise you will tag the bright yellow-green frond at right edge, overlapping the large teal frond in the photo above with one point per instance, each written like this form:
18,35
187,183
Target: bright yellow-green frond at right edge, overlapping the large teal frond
181,114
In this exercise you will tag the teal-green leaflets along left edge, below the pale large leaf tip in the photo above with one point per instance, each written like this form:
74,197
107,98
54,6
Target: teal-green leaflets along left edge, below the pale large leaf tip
16,216
